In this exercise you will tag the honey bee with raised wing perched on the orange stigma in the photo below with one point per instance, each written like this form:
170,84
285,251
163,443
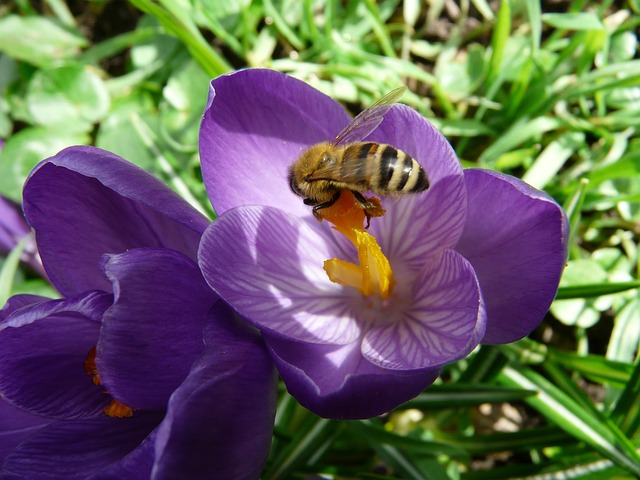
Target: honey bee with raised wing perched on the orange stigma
325,169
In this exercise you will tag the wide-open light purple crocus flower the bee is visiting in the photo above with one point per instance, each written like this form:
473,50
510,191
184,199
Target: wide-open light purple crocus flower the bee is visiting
475,259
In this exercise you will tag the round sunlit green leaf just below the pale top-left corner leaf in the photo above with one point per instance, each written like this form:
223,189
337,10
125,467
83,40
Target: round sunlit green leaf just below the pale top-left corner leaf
71,95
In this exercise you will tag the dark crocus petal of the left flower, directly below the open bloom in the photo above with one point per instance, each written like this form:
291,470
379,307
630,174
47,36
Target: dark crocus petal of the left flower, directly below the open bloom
220,421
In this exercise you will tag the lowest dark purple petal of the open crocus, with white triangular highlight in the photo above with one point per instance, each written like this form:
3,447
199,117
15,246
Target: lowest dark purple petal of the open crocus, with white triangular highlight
335,381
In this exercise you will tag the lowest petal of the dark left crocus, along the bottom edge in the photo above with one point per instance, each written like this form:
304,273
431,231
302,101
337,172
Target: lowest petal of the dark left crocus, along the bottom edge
76,450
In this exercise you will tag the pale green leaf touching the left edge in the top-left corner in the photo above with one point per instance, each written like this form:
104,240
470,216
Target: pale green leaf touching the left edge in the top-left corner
38,40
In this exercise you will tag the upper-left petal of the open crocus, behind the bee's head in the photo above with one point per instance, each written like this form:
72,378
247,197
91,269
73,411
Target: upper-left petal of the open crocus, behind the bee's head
256,124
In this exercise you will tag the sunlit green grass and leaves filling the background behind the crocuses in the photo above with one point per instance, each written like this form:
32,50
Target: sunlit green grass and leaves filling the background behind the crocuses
545,91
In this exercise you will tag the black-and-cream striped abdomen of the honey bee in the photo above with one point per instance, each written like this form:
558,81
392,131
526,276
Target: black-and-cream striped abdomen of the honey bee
382,169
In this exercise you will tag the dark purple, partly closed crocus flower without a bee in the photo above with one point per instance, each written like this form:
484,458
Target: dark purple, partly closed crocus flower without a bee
196,388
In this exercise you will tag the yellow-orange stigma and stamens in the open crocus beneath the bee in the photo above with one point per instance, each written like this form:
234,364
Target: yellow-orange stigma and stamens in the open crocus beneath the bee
373,276
